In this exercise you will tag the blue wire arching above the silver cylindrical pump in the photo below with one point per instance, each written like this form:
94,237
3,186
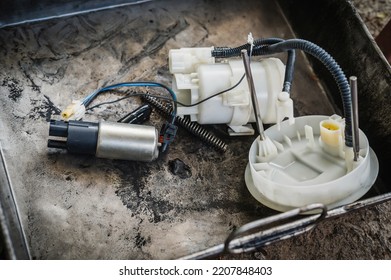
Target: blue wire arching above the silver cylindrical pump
87,100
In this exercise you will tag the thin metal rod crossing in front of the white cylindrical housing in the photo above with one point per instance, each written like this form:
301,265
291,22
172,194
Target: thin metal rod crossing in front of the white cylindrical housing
254,100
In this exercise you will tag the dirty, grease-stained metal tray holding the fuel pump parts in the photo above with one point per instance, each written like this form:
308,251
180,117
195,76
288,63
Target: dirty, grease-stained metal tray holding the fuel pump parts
60,206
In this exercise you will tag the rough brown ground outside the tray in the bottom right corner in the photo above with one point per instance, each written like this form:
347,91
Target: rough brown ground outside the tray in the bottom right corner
365,234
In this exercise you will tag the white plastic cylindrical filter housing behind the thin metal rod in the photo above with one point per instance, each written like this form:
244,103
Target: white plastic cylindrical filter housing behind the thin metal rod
197,76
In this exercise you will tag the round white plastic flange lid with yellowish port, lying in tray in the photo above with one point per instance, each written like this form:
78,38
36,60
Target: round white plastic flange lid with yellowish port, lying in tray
306,172
